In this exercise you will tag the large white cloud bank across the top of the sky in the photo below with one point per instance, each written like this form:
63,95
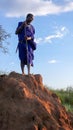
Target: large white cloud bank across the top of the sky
17,8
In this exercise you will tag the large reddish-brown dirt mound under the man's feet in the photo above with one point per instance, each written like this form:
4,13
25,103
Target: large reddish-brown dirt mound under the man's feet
25,104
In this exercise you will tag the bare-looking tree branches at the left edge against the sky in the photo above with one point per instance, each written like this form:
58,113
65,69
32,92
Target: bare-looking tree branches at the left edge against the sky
3,39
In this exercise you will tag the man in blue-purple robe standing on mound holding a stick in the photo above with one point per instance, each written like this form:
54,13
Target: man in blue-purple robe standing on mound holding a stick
26,44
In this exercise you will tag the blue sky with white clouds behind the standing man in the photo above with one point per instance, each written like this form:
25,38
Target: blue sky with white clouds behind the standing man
53,22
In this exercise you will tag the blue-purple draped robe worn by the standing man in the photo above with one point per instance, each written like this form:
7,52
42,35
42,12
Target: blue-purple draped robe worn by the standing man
26,48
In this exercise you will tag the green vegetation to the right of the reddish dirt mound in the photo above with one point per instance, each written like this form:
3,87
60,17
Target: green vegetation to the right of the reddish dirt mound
66,97
